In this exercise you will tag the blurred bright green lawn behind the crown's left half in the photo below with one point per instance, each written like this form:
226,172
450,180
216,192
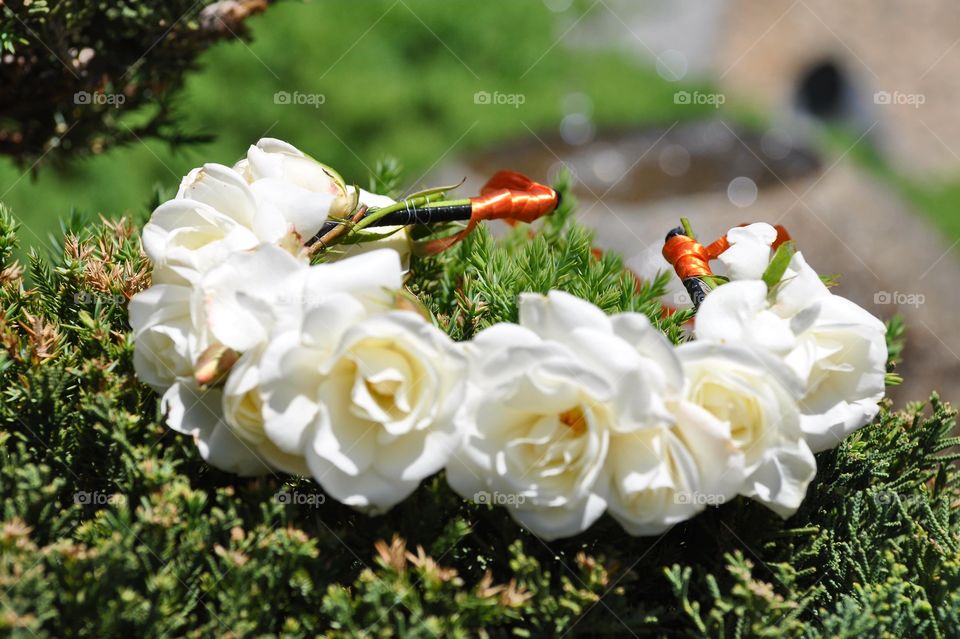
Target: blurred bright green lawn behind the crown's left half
398,78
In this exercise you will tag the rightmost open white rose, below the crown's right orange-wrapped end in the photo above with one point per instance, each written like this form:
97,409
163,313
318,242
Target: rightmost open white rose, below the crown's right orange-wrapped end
835,347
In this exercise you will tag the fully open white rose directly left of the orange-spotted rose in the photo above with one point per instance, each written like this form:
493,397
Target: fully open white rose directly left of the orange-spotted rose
367,399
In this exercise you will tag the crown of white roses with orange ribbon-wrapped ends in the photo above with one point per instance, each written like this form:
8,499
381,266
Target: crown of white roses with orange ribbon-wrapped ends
280,337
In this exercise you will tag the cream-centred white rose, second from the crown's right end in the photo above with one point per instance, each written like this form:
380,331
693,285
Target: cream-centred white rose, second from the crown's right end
756,395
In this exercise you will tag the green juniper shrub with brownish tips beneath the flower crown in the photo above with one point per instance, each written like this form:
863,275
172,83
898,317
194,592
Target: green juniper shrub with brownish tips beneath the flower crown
111,525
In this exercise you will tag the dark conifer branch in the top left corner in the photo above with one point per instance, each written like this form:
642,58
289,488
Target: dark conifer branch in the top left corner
72,72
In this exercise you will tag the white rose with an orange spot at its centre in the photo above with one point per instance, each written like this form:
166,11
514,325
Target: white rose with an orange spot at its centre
538,425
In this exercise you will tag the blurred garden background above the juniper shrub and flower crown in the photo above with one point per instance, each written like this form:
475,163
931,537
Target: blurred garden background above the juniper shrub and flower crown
837,120
